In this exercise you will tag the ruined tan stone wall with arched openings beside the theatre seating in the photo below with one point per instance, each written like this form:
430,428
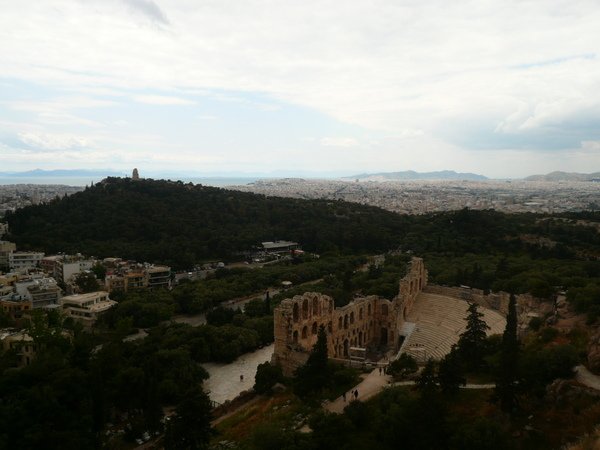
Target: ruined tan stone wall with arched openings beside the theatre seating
365,322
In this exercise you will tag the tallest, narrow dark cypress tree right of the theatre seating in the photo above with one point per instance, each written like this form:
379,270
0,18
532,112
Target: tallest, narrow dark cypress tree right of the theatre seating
506,384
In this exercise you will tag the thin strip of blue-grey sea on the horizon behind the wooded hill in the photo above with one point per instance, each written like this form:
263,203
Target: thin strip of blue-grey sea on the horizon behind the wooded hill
86,181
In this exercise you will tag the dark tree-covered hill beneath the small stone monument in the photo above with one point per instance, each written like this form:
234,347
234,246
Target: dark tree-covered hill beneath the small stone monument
181,224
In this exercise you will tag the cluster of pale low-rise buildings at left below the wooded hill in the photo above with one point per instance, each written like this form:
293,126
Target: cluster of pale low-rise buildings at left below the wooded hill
32,281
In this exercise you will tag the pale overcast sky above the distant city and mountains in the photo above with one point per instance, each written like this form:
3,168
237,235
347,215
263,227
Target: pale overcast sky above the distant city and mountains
502,88
